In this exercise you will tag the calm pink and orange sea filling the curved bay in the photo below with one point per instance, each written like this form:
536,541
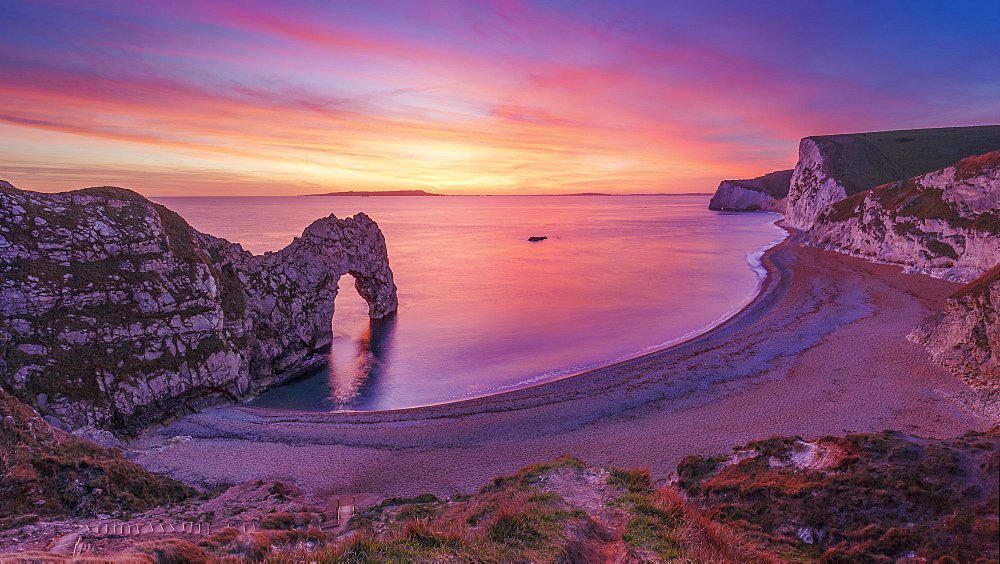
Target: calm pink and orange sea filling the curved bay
483,310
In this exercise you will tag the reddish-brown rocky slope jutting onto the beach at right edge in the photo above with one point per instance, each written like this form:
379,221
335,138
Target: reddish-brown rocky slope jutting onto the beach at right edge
965,337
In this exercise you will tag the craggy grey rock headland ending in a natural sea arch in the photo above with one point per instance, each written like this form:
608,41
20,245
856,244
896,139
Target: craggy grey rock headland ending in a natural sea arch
115,313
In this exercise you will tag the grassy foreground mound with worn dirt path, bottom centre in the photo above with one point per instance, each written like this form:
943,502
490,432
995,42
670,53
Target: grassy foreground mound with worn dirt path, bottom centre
556,511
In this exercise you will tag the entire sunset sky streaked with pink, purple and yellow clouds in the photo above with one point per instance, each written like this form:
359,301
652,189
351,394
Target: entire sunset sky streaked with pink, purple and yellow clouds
269,97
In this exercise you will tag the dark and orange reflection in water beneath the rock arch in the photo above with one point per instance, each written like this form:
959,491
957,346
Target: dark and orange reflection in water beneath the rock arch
356,383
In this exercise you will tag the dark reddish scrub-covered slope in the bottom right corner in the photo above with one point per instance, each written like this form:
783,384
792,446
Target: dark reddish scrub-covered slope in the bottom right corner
859,498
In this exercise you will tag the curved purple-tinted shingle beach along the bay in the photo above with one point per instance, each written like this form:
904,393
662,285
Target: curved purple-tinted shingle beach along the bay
822,350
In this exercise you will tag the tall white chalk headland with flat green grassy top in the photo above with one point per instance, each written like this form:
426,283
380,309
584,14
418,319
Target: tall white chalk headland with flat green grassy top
832,167
